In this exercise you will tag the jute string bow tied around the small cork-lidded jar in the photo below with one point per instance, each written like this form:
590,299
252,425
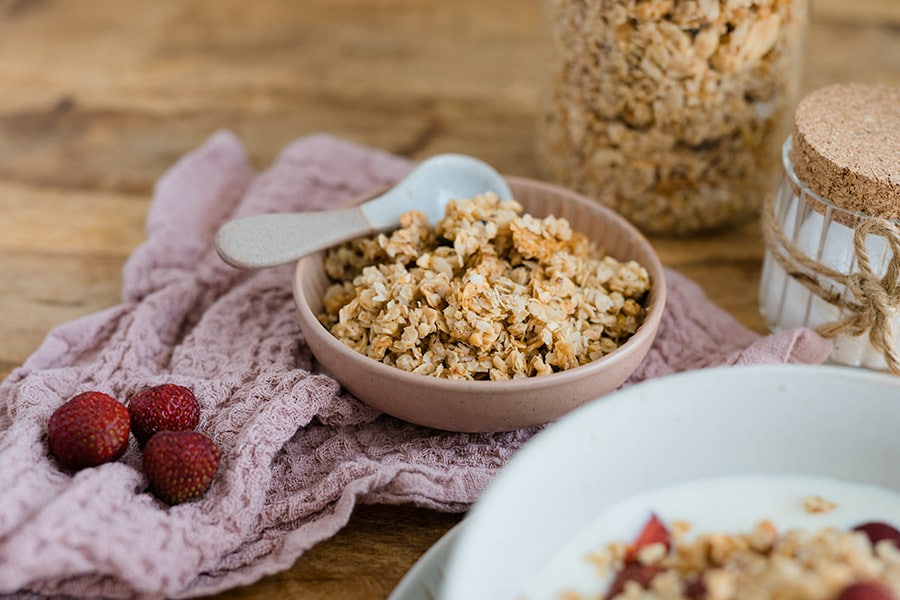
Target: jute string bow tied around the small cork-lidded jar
867,302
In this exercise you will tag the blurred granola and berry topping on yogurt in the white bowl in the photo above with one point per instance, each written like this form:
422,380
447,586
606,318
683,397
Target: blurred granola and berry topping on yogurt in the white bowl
761,564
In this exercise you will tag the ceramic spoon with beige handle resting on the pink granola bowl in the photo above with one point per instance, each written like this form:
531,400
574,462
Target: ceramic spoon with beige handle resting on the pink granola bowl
272,239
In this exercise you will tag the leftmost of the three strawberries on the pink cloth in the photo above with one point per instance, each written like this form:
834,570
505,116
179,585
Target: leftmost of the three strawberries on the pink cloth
88,430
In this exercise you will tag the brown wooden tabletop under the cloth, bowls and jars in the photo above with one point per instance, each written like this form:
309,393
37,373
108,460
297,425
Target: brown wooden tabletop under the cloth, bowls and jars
98,98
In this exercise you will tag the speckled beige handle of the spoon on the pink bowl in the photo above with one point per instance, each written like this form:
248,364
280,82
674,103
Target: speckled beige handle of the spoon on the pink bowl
273,239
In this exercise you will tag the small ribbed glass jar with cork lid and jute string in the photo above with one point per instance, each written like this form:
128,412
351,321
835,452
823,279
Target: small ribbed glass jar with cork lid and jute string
832,231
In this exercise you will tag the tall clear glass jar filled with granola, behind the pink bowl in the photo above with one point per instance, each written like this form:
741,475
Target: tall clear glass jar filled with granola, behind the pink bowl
671,111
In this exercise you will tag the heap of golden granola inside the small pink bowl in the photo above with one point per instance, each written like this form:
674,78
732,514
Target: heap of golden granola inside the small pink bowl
487,293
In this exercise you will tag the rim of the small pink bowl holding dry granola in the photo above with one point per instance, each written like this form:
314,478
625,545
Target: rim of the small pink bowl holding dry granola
655,307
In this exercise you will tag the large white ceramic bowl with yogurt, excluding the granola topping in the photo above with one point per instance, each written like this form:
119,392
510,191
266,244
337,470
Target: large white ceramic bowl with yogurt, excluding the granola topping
785,428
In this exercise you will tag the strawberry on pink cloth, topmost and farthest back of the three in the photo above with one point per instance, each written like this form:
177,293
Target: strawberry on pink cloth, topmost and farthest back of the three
166,407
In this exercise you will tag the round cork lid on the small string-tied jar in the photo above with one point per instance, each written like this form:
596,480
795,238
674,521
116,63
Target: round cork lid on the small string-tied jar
846,147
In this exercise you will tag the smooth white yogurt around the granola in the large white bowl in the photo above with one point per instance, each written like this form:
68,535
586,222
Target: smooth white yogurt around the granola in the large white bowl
732,504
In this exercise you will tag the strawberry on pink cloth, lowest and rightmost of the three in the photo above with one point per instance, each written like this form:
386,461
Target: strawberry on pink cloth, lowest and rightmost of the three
180,465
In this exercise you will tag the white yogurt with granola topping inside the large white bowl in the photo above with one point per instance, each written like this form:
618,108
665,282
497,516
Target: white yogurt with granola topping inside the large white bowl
783,512
